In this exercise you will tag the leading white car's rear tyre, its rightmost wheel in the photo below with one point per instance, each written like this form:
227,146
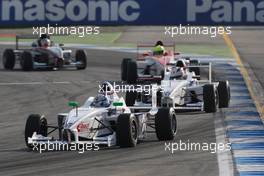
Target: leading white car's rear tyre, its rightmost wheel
165,124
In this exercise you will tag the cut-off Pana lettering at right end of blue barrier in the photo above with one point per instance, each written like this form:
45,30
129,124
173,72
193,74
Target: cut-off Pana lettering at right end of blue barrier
221,11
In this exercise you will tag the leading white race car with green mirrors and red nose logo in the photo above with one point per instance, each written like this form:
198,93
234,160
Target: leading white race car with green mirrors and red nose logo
103,120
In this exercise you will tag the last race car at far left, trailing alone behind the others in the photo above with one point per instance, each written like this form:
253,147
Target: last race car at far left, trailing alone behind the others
43,54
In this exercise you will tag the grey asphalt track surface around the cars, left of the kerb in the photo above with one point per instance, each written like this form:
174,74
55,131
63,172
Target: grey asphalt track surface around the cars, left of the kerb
50,97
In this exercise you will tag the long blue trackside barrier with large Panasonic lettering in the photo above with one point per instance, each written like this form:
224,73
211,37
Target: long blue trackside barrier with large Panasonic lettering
131,12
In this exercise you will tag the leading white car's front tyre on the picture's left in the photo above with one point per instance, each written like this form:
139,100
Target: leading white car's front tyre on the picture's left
35,123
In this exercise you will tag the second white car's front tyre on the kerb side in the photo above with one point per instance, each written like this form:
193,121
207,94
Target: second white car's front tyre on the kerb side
210,98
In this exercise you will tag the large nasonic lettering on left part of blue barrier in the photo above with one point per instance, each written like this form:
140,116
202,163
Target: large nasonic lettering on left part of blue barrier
76,10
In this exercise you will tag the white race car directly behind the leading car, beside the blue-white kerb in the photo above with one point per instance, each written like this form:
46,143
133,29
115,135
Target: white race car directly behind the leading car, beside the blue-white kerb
186,94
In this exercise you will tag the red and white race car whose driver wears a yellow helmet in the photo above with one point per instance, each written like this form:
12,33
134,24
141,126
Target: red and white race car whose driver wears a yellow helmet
151,66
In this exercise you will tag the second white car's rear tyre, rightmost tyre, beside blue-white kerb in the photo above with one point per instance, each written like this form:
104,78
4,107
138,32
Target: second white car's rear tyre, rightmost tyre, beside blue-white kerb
224,94
